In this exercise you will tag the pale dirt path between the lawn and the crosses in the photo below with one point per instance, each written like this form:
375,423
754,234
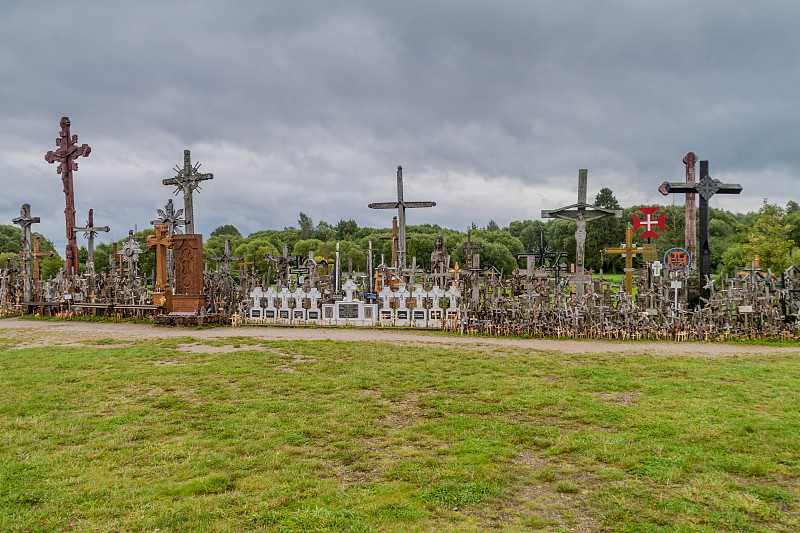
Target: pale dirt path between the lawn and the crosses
44,333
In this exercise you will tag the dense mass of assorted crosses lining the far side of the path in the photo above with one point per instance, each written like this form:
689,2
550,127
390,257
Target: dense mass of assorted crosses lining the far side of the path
664,294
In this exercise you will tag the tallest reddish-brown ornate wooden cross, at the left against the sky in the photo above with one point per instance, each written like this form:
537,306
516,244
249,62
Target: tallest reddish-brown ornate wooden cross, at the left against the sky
66,155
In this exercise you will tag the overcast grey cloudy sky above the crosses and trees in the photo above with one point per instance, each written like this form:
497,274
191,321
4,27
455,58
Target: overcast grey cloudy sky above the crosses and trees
490,107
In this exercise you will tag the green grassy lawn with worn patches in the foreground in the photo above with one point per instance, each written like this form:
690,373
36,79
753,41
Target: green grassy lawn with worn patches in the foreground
171,435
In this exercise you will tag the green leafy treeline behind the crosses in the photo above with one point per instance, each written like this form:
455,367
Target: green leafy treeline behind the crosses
770,233
